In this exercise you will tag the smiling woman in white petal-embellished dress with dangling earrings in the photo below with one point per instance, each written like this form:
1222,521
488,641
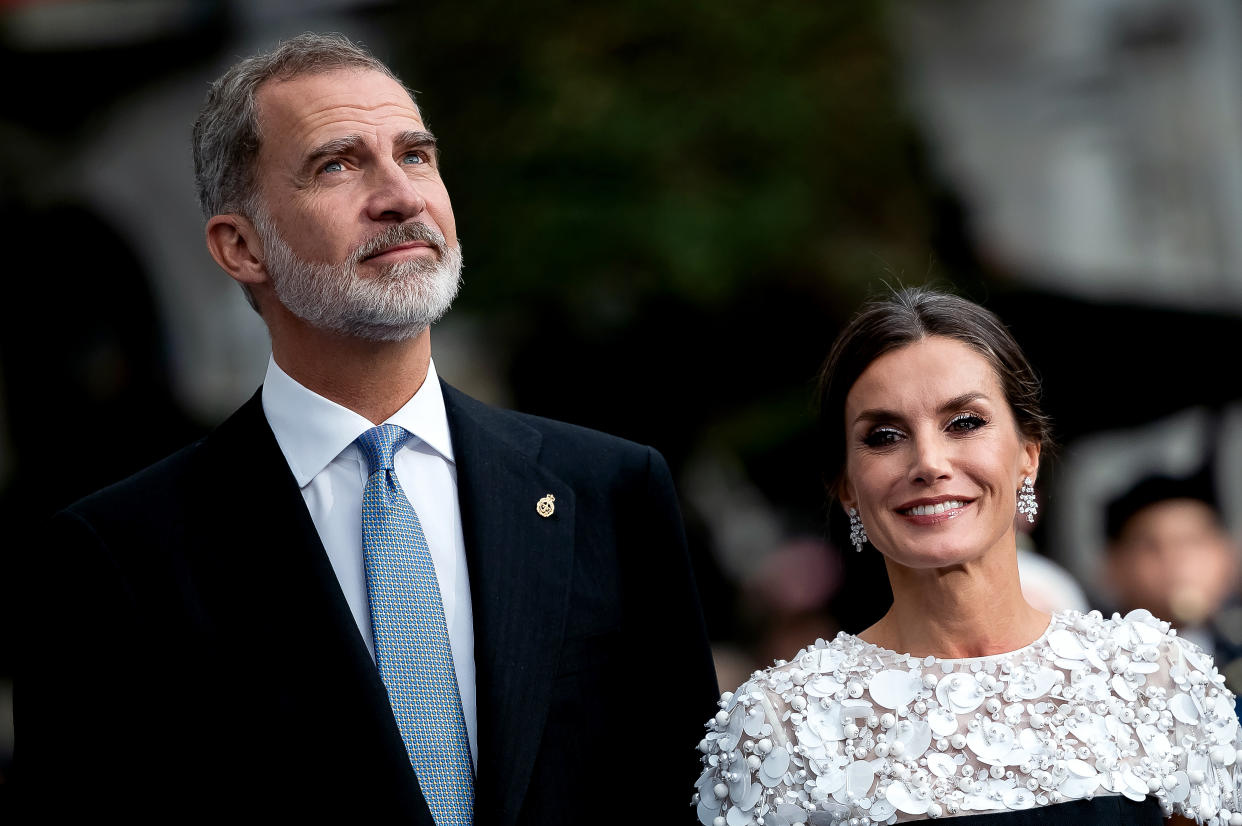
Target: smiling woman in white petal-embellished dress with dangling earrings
963,700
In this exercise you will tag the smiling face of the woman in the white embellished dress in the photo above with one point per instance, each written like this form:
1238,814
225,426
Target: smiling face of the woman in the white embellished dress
933,455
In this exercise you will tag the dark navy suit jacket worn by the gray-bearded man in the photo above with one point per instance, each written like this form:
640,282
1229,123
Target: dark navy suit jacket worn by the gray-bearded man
189,655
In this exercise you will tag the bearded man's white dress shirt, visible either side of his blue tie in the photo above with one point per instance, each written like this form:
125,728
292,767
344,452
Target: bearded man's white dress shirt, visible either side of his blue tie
317,438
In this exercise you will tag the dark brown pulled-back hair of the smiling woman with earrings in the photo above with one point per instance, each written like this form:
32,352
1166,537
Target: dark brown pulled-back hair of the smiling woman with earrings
907,316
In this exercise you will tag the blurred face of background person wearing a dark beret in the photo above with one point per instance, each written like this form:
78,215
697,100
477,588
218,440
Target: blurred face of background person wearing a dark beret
1174,560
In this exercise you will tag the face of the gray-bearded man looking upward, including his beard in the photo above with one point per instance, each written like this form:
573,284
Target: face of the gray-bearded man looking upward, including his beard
357,228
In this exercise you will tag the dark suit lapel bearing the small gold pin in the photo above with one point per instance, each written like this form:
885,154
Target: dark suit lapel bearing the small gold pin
520,571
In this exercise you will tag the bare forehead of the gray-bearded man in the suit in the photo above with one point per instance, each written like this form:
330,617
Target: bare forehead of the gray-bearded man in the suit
306,106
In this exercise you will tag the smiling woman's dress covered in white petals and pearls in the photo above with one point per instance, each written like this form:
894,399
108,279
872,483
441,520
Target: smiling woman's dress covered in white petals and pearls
1095,712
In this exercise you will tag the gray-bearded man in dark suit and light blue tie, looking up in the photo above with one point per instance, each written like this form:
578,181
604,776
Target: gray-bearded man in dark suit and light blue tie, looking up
366,597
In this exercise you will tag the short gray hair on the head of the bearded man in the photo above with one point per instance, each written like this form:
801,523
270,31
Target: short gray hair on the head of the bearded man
227,135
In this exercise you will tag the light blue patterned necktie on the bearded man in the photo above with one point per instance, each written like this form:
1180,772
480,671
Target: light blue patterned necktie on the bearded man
412,639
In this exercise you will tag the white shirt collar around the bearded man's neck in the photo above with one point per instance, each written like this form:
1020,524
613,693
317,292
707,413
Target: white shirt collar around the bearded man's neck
314,430
